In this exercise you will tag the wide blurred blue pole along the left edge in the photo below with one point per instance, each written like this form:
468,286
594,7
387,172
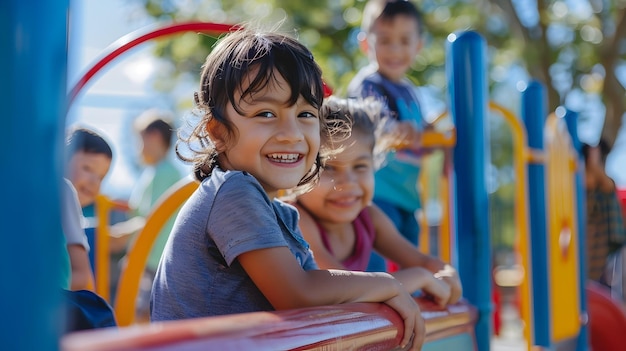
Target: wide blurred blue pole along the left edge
32,95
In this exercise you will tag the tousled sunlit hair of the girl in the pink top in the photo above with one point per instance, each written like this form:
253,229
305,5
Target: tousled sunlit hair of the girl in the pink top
366,116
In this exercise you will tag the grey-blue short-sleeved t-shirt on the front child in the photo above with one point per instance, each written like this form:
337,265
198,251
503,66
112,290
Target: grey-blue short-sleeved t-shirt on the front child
199,274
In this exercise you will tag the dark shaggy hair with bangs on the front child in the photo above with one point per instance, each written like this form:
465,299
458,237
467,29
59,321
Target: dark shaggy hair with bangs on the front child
256,57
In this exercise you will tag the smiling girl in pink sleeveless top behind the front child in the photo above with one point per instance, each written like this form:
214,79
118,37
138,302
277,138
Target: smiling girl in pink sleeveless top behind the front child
341,223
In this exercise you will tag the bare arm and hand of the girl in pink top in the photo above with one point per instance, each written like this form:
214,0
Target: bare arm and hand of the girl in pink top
391,244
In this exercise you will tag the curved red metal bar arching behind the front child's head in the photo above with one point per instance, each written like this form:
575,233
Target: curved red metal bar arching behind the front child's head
133,39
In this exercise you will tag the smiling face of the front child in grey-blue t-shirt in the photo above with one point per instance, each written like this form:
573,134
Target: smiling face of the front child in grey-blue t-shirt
274,142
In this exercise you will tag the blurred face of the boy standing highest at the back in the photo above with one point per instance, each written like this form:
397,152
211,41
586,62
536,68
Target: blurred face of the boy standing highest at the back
395,43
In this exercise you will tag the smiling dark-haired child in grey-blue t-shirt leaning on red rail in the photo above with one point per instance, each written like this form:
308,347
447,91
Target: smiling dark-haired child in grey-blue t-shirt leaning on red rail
235,247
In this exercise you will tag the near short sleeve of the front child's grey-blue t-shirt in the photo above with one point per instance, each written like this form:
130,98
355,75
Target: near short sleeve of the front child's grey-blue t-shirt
242,218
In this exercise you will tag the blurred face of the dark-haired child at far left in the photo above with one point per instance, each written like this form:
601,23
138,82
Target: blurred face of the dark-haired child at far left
86,172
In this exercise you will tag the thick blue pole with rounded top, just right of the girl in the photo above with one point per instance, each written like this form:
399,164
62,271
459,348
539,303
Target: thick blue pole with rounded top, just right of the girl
467,82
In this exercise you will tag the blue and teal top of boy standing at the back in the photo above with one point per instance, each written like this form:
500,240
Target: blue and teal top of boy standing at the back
396,181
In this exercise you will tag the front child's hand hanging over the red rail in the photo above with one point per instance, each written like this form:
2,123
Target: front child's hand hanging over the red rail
414,329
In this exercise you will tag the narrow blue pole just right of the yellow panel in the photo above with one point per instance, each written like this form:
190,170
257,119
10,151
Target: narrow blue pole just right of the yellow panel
571,119
